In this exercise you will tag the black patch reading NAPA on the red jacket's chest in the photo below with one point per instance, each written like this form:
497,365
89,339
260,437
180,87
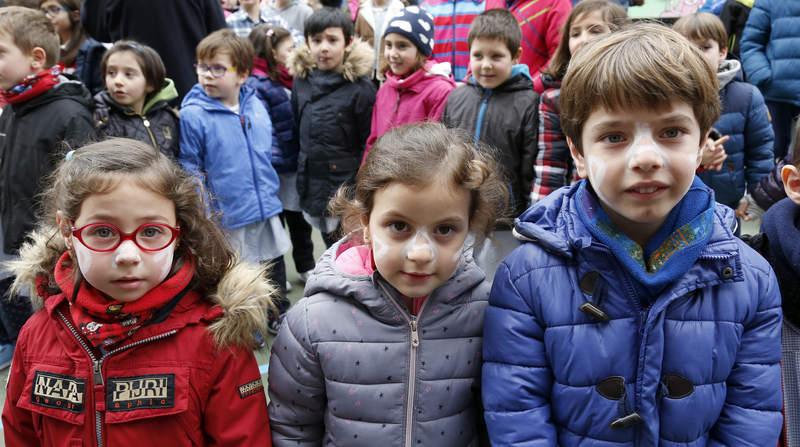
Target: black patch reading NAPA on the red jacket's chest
57,391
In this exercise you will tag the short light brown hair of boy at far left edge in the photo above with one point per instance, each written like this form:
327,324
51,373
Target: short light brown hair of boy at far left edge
28,29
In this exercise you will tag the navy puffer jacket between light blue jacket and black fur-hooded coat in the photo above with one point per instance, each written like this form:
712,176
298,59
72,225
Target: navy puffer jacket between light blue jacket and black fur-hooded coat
276,100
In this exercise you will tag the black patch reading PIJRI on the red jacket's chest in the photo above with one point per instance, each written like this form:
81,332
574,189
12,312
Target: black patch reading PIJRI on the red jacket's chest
141,392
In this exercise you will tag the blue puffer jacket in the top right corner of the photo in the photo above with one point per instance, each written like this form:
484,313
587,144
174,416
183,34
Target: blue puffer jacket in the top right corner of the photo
771,49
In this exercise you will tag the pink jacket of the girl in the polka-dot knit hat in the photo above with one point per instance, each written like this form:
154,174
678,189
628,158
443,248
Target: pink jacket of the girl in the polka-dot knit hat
421,96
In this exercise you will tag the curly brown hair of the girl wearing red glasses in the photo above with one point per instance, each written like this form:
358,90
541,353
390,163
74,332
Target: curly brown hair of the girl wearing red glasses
98,168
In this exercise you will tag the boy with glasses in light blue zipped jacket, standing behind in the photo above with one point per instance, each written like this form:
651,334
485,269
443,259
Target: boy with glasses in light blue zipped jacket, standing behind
226,140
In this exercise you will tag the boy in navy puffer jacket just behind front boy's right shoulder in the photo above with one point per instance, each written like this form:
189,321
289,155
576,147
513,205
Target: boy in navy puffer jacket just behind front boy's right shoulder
744,119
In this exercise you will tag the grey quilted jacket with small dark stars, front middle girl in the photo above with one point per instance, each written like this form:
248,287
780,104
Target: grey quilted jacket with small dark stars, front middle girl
351,367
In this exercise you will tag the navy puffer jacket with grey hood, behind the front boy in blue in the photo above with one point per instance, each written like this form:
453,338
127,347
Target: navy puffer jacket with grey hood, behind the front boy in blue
750,154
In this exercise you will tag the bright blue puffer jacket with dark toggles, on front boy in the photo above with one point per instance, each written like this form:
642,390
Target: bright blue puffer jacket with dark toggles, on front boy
697,368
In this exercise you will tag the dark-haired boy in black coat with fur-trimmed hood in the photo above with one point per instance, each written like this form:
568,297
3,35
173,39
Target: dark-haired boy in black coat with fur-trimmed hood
332,99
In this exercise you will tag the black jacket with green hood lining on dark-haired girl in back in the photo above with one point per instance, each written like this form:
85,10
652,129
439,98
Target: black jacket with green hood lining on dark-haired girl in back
157,126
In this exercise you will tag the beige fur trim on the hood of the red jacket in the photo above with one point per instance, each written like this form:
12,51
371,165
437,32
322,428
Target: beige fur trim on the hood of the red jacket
243,295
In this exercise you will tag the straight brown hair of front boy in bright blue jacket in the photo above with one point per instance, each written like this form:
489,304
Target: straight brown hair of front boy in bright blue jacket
646,66
